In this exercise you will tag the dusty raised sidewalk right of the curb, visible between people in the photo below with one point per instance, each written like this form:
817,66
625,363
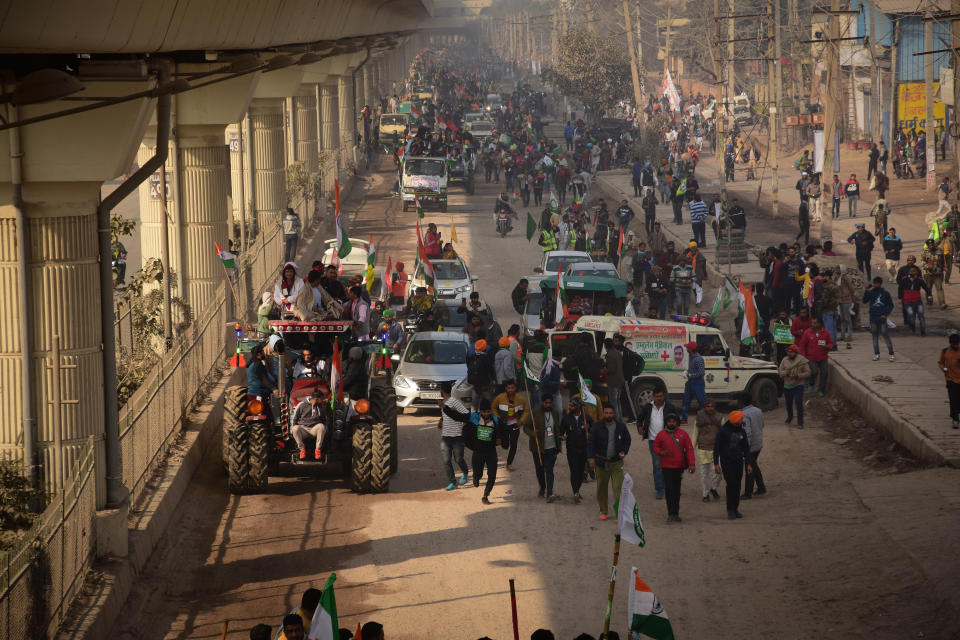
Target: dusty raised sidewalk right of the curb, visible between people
906,398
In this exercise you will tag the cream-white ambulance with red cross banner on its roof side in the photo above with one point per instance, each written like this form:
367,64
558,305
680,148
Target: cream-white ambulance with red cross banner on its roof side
660,343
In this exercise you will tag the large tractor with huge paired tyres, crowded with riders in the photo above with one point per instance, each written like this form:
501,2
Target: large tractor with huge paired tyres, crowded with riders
361,439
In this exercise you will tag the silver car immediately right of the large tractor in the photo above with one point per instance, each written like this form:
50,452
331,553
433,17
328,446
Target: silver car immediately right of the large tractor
432,357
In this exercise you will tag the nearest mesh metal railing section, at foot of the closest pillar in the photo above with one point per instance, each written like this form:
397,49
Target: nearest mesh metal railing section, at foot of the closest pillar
40,576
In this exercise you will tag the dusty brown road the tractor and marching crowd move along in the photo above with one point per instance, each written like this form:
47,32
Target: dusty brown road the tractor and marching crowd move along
834,550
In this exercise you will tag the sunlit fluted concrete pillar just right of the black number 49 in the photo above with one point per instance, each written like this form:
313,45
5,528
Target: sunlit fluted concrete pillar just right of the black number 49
269,169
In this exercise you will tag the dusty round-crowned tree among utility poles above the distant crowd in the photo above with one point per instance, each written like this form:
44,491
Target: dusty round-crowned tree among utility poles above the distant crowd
593,70
